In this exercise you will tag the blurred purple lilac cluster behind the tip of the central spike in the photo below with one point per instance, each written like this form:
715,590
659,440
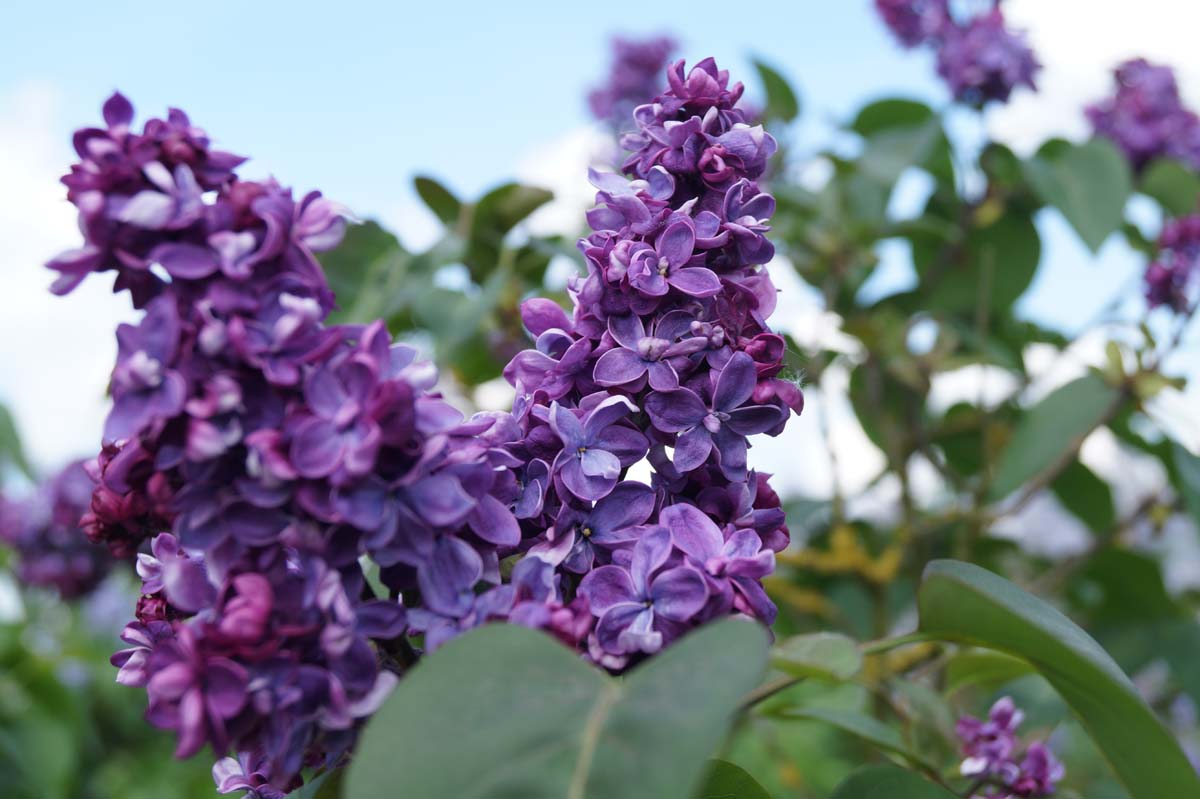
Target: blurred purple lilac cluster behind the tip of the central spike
634,77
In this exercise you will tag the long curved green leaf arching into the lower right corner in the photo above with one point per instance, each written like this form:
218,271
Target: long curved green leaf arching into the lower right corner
964,603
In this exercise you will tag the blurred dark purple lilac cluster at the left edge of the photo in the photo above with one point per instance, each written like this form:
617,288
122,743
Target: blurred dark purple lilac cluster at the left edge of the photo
44,531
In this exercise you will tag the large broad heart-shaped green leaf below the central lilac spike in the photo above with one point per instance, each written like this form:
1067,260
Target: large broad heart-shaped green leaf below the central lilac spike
530,720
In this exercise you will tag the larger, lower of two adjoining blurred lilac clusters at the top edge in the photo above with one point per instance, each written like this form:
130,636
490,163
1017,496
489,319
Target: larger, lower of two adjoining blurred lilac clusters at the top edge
983,61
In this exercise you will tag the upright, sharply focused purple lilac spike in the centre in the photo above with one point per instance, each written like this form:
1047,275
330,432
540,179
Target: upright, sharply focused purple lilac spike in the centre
667,359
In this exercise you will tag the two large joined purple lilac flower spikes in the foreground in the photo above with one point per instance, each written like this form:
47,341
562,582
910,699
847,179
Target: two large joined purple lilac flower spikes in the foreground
256,460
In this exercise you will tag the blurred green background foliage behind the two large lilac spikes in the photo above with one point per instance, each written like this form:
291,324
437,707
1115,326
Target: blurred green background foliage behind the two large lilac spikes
955,478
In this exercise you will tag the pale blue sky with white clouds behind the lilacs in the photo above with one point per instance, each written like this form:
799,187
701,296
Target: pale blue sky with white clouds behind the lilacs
358,98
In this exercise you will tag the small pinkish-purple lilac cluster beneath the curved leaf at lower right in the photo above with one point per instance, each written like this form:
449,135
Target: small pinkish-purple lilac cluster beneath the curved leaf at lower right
992,752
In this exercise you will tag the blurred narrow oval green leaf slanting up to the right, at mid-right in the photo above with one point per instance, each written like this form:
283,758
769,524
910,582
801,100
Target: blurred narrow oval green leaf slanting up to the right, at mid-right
1052,430
